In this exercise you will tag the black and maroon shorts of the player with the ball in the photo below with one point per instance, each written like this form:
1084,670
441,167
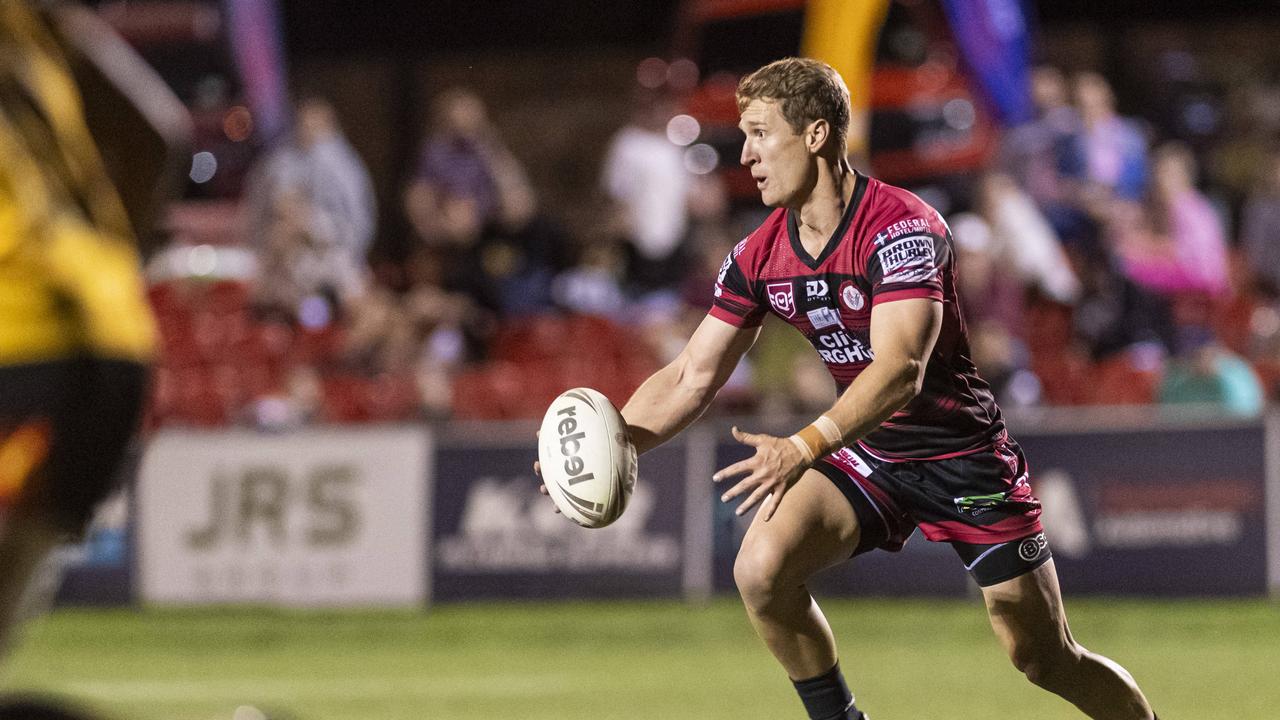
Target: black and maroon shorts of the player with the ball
981,504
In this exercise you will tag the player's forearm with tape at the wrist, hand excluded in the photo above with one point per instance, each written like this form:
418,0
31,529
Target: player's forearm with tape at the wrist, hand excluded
884,389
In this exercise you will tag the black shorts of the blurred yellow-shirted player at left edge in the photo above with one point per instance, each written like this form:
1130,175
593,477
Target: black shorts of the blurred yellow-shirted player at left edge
65,430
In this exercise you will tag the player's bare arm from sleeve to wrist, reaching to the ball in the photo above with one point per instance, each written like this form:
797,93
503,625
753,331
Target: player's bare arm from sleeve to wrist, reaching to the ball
679,394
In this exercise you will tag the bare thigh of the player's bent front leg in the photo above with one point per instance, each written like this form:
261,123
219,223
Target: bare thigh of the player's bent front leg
815,527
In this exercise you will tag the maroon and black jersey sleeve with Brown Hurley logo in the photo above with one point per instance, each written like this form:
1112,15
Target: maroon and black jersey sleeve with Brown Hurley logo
908,256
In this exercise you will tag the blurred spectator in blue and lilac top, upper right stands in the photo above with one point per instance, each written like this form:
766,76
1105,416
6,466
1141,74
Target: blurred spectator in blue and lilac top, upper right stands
1109,158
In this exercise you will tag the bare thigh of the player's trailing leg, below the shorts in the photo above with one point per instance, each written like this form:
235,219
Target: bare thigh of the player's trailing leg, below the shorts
1027,614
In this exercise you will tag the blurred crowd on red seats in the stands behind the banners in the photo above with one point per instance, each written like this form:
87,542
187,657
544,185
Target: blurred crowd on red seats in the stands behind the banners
1099,261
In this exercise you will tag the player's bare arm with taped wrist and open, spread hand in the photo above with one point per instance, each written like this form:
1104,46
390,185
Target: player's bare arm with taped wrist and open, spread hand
903,336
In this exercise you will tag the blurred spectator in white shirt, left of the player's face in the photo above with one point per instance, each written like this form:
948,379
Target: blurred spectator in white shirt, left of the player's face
644,174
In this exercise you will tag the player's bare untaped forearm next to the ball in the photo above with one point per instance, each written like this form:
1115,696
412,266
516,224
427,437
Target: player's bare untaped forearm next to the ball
668,403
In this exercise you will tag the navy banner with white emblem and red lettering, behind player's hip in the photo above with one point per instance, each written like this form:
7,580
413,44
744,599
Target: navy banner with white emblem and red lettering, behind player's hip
1155,512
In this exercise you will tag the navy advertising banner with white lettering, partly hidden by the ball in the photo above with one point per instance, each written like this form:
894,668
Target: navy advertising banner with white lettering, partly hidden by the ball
496,536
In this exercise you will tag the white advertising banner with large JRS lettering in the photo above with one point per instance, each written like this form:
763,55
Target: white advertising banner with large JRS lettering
314,518
